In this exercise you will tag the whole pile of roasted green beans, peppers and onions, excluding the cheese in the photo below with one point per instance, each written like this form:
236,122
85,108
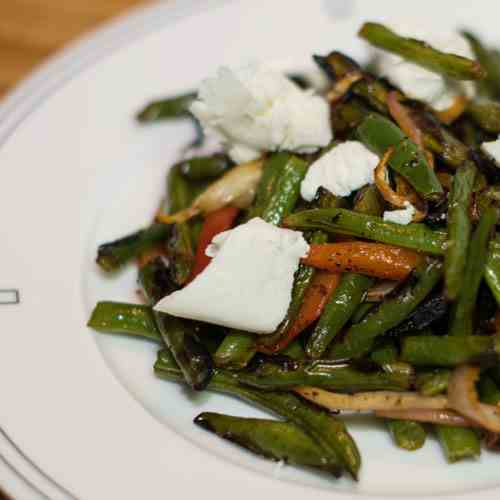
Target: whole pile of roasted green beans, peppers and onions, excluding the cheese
422,352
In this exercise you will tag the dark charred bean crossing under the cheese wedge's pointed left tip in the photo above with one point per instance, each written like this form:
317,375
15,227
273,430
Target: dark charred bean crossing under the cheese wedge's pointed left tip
178,334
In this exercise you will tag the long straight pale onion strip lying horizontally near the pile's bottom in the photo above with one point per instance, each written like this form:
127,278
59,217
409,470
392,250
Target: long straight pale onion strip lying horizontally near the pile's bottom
372,401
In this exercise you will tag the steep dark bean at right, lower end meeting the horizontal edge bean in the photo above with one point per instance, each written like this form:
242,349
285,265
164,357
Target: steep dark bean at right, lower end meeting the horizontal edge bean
461,322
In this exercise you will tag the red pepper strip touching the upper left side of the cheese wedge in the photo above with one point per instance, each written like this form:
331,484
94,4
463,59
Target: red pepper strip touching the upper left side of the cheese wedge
215,223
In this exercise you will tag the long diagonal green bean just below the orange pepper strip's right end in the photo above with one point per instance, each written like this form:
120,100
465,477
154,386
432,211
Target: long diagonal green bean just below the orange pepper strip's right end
359,339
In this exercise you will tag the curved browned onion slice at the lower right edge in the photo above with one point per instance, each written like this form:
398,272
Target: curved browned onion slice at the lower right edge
463,398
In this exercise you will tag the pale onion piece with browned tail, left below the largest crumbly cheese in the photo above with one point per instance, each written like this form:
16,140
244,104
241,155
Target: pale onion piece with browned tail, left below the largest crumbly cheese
238,186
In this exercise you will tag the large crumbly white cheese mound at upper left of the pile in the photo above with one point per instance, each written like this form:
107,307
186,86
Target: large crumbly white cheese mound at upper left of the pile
255,109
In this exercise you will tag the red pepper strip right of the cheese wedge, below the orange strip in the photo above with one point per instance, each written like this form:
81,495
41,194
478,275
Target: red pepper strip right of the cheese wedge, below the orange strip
317,295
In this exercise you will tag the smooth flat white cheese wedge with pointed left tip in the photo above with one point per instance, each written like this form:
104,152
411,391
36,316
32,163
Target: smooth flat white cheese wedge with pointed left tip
248,284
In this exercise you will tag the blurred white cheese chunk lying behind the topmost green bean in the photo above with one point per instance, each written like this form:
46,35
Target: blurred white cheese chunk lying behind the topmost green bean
419,83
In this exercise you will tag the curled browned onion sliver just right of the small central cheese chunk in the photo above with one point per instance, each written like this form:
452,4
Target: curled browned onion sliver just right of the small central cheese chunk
391,196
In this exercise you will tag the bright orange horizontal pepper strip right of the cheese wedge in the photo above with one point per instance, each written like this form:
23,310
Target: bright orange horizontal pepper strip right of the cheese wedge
373,259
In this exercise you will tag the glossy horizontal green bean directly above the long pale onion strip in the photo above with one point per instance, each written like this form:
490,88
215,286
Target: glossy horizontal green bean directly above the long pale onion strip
322,373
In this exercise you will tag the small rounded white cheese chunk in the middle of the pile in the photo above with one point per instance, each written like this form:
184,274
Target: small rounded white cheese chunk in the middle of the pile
345,168
